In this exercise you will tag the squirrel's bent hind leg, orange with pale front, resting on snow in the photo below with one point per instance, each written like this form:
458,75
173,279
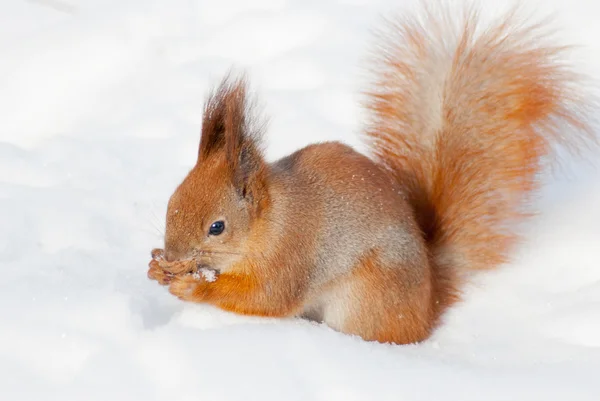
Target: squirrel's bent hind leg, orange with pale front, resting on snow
381,303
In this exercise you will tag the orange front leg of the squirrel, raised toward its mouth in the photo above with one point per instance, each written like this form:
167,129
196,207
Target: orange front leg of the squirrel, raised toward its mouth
244,293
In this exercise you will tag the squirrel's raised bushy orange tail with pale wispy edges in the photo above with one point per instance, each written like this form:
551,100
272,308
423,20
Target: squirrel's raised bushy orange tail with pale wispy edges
467,117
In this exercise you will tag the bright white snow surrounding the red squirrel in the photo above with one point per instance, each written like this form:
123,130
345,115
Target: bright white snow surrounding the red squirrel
101,104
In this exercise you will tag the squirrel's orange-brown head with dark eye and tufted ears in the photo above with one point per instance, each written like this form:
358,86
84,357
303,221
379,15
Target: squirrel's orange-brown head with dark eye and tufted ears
213,211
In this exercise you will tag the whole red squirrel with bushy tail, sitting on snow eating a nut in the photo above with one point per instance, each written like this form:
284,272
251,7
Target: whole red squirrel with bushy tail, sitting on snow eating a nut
460,122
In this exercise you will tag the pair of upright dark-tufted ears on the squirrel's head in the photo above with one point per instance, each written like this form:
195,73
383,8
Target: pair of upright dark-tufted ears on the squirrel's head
230,125
